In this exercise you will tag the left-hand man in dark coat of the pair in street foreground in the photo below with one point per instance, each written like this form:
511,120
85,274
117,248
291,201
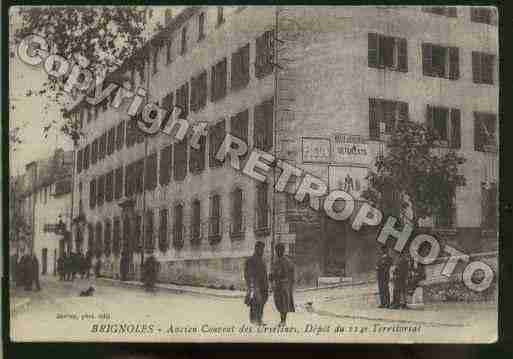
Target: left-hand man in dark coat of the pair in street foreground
255,275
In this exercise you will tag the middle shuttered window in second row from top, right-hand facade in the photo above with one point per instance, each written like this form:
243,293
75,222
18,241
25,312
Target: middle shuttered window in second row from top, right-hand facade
440,61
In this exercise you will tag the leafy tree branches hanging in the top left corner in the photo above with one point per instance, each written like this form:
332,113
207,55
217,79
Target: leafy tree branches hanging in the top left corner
106,36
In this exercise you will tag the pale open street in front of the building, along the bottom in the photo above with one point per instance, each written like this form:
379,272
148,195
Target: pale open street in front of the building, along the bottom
58,313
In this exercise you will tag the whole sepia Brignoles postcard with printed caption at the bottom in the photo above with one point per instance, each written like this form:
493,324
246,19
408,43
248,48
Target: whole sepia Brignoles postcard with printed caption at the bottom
253,174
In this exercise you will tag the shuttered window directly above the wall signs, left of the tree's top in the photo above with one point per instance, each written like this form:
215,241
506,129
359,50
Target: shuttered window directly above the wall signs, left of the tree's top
383,116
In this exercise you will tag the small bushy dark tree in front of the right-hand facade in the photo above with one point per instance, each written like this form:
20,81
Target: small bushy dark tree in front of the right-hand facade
414,178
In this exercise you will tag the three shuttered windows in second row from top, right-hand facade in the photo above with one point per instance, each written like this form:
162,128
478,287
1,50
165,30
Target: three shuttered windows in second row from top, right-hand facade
437,61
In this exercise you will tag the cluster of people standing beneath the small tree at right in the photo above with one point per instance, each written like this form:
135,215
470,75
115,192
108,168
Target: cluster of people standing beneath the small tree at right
401,278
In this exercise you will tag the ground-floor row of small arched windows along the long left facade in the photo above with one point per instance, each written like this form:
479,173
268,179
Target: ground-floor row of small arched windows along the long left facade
210,229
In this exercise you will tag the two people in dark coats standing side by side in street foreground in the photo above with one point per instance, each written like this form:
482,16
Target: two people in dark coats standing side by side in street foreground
257,283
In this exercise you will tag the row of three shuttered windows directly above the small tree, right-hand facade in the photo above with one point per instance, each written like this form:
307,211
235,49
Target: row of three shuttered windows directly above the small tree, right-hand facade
446,123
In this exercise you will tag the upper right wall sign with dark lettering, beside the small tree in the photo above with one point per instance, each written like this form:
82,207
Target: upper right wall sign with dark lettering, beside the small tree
350,149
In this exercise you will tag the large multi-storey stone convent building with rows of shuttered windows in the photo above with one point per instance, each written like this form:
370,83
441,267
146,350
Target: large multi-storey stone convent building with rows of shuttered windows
303,83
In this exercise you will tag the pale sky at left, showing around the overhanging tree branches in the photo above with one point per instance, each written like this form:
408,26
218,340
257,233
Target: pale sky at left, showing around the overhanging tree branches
28,111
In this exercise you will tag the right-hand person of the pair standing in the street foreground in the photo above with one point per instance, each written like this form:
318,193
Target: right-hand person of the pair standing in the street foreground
282,276
